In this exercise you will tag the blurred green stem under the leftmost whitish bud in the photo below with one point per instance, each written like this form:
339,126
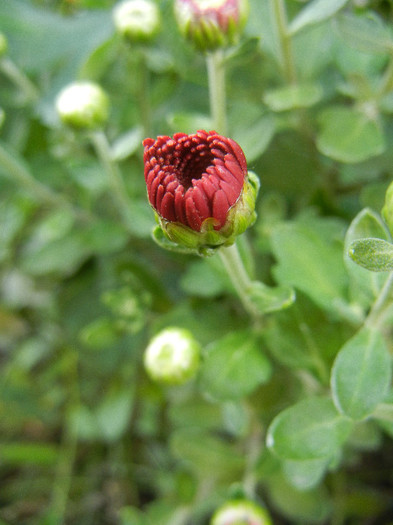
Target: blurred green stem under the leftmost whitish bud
115,179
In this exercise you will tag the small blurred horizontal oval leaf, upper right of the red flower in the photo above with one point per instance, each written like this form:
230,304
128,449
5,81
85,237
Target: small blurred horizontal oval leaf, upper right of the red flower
293,97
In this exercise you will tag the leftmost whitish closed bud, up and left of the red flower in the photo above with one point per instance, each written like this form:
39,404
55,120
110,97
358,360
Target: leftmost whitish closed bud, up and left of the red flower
83,105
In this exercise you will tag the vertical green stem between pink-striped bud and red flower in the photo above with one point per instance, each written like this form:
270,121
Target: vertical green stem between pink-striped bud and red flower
217,93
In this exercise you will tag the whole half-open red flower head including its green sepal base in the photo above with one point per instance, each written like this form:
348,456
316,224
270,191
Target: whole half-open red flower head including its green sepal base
200,189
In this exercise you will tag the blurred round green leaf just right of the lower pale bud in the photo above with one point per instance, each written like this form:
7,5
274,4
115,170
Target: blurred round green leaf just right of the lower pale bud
234,366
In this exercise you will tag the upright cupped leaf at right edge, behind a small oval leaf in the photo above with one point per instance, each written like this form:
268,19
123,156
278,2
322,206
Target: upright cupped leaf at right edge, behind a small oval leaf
364,285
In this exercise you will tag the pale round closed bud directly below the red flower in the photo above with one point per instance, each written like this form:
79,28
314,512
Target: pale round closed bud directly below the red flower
172,356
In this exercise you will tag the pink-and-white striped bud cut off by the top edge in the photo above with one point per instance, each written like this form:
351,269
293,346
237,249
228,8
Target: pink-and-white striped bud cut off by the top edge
211,24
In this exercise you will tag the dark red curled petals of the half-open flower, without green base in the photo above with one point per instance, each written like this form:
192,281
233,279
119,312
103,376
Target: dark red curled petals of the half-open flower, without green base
192,178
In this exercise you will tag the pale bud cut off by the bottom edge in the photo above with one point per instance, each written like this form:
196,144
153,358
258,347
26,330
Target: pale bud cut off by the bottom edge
241,512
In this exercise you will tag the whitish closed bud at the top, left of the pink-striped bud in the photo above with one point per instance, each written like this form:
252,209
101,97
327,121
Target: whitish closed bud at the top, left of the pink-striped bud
137,20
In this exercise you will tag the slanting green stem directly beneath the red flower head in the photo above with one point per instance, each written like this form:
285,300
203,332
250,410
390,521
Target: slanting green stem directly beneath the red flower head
234,266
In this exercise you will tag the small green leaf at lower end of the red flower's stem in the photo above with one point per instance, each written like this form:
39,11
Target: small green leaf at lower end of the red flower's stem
268,299
